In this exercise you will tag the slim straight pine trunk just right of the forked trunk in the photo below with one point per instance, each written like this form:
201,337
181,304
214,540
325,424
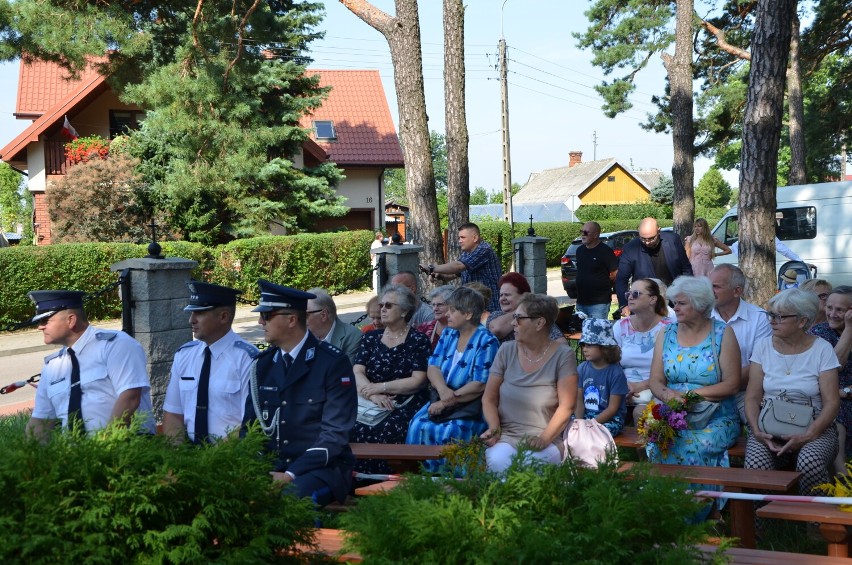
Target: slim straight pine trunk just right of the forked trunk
458,170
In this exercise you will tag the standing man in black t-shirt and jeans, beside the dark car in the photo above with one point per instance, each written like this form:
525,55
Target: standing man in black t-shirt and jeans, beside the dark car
596,268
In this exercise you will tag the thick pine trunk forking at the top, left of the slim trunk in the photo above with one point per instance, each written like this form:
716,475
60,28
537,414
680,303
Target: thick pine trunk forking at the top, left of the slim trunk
402,33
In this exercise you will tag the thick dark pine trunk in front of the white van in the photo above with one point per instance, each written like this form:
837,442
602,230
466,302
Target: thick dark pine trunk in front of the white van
761,137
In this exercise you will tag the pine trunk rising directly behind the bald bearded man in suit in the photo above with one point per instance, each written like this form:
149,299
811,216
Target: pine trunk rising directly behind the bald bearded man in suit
679,70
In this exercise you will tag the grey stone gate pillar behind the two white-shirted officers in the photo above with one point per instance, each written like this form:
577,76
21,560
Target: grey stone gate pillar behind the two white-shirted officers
158,294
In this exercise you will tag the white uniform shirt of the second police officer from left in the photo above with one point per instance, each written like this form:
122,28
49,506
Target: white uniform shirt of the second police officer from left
230,365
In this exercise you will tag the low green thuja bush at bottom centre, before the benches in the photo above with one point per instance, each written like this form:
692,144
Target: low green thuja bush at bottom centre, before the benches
536,514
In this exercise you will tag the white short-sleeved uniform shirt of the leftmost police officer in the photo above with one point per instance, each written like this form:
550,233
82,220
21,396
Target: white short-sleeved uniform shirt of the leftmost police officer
111,362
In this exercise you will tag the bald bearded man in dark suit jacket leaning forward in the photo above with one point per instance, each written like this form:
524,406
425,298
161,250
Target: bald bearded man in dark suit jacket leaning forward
654,254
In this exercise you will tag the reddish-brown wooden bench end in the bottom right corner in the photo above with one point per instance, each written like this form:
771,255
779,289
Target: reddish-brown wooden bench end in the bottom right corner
832,520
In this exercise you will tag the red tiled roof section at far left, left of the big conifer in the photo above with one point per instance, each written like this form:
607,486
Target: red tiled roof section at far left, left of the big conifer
42,84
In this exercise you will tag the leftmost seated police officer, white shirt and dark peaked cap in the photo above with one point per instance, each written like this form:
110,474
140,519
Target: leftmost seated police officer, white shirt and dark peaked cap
98,375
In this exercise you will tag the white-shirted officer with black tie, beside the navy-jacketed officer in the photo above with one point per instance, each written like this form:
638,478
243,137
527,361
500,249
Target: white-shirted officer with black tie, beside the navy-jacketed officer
210,376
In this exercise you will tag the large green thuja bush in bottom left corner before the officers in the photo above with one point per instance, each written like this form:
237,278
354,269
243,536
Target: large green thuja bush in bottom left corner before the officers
121,497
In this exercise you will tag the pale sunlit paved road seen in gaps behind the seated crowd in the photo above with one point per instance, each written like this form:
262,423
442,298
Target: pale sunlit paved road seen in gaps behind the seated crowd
22,353
